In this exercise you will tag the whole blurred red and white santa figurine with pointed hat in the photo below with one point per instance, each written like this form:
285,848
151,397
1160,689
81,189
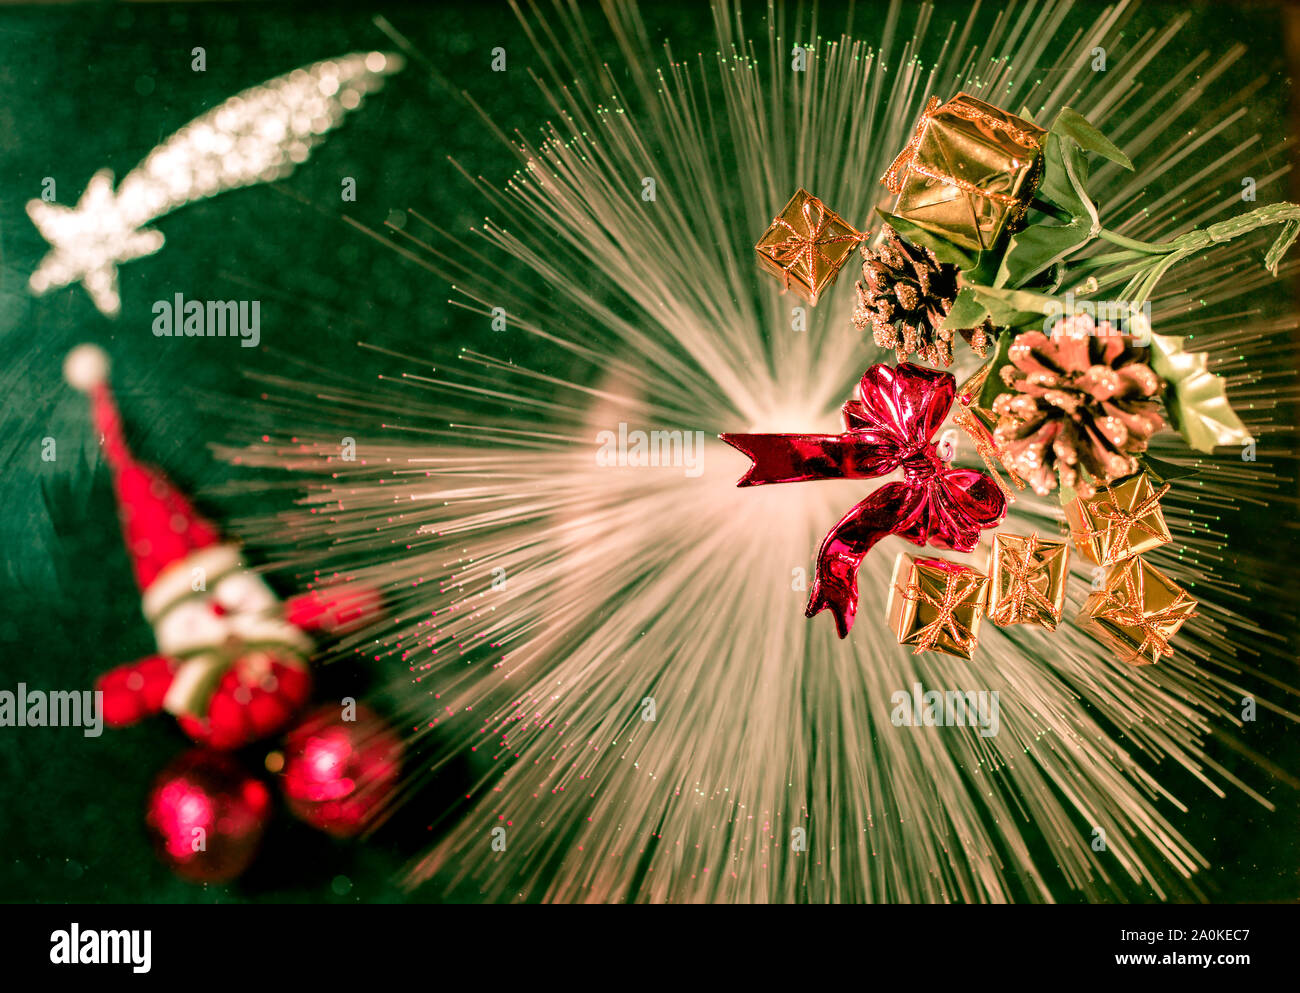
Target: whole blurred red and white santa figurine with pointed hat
233,658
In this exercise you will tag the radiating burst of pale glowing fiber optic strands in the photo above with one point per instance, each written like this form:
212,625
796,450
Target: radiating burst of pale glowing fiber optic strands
545,605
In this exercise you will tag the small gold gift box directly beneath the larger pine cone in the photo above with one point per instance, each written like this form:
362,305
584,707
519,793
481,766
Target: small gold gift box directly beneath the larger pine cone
1121,521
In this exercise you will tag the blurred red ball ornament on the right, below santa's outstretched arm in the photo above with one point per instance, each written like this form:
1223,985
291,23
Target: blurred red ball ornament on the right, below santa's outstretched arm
337,774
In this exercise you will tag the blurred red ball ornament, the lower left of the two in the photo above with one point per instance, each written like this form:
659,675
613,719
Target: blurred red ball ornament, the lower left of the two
207,816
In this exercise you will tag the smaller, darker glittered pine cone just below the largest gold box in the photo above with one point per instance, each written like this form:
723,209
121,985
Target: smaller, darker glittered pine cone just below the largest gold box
904,297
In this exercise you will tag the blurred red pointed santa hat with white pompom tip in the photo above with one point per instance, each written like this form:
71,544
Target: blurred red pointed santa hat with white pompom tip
159,523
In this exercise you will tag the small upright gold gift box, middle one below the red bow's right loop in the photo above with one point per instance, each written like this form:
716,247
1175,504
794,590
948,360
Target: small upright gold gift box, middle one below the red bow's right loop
1028,580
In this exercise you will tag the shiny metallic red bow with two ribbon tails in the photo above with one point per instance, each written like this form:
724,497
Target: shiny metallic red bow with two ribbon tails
890,427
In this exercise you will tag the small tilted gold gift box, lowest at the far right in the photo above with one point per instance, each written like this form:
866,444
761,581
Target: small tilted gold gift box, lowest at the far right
1137,612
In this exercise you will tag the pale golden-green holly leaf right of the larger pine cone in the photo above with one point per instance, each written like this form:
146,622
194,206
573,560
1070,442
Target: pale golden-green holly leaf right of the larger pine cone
1195,398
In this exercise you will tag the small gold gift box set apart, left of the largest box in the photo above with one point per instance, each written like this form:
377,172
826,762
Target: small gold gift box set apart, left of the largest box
807,246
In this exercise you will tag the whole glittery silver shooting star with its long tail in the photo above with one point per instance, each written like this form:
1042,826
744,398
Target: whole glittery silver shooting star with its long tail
254,137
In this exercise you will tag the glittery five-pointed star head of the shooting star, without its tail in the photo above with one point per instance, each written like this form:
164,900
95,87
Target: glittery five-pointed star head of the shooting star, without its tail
89,242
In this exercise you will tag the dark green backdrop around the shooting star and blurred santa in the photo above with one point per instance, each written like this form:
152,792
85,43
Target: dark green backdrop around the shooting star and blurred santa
99,86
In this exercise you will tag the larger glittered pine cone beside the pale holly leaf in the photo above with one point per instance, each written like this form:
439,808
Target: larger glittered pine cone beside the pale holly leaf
1084,404
